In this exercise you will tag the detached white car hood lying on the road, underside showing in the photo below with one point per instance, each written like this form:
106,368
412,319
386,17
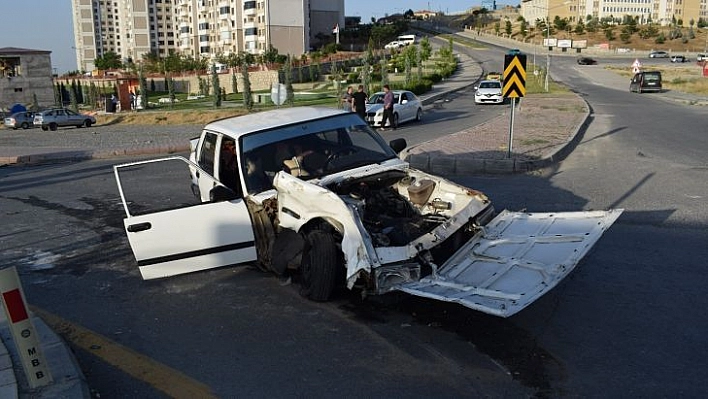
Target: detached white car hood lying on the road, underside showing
517,258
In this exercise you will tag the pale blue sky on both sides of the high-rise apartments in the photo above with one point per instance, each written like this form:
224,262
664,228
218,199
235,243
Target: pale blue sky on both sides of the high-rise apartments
48,25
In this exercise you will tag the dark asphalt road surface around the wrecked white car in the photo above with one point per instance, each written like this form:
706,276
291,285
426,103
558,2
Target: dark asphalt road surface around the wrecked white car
628,322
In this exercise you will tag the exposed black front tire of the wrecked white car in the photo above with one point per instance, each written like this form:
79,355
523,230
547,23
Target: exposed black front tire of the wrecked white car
319,266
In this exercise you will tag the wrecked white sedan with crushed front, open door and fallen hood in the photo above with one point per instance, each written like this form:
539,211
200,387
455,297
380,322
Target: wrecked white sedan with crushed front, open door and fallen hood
316,194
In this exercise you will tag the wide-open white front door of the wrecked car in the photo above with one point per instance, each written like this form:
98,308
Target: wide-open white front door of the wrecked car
173,232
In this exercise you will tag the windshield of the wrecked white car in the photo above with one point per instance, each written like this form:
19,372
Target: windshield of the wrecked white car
318,148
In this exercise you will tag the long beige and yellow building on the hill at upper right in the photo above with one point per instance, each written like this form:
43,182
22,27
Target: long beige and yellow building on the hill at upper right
658,11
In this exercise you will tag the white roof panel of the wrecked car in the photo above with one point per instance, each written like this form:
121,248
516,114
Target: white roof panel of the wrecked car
237,126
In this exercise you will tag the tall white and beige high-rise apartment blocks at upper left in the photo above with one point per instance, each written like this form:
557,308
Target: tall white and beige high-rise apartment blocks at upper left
199,28
